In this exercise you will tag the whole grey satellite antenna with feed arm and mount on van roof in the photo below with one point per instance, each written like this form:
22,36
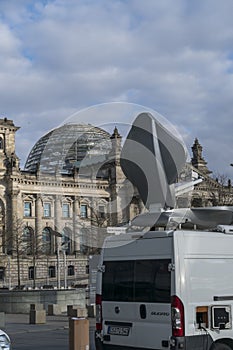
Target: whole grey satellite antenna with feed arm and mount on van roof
152,158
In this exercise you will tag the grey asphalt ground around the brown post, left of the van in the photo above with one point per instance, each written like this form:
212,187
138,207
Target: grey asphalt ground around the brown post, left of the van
50,336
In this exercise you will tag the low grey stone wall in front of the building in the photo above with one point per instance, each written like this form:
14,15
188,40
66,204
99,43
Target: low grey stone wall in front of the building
19,301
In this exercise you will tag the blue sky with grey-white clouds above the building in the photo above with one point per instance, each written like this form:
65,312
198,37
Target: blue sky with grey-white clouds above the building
175,57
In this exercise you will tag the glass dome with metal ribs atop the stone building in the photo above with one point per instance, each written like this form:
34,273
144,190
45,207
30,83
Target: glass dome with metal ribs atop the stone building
63,148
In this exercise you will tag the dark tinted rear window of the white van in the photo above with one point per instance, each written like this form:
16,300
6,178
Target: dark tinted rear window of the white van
137,281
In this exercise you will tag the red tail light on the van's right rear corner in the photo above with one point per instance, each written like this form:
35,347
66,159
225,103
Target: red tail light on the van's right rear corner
177,315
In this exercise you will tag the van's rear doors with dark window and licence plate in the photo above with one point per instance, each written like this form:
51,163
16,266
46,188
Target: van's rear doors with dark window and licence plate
136,297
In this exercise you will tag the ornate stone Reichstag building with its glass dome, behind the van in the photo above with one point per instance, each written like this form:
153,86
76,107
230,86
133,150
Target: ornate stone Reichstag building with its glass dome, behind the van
55,212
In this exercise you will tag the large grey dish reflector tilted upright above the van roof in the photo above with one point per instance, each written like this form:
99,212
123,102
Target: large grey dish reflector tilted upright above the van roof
151,158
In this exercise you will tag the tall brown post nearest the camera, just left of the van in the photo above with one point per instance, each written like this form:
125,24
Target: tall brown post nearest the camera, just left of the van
78,334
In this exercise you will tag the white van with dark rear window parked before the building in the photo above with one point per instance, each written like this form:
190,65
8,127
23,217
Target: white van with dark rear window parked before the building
165,290
